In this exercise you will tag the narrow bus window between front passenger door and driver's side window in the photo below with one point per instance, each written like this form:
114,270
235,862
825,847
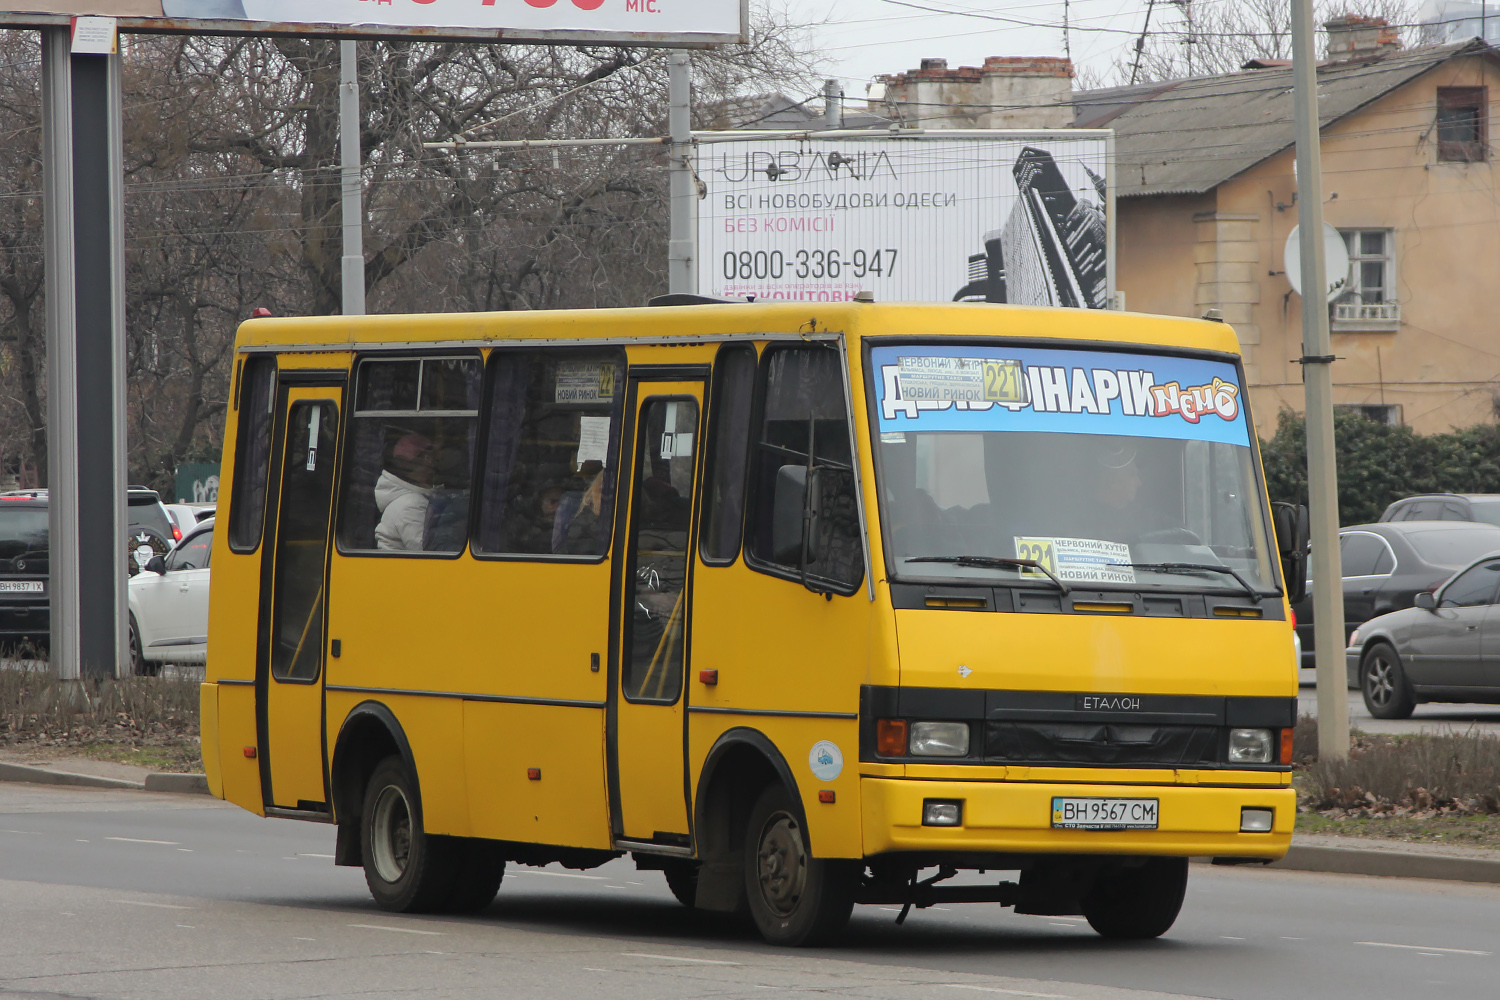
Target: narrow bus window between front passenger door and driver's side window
730,451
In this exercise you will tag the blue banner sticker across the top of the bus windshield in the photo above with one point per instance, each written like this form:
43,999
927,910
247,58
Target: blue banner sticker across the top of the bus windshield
986,388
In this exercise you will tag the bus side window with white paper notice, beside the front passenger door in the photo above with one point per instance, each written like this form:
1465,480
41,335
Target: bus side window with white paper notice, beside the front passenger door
548,482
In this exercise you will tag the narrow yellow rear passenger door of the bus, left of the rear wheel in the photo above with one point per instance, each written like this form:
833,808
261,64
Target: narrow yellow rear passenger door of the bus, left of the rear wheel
289,668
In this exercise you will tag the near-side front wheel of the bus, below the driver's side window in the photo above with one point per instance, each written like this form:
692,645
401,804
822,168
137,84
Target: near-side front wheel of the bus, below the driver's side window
794,897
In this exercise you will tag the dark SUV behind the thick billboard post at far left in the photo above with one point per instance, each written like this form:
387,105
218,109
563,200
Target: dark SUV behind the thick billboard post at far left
25,567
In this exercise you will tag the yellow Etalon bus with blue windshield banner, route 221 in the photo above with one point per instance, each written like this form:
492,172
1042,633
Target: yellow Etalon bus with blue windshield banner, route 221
802,605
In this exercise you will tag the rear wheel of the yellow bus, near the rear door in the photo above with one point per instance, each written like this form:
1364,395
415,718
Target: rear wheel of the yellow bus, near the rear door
406,870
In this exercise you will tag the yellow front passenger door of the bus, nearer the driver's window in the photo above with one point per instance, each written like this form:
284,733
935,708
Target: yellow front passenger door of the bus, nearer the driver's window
647,713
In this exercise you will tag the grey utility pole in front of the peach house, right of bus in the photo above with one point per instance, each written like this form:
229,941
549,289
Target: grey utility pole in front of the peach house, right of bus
1318,377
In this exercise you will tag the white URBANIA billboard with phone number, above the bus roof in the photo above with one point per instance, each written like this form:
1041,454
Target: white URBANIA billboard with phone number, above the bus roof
1009,218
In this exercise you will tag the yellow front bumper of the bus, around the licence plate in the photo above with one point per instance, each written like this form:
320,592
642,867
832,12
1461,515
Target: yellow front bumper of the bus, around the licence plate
1016,818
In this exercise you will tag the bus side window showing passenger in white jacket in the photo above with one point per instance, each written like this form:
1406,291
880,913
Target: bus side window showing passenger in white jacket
410,458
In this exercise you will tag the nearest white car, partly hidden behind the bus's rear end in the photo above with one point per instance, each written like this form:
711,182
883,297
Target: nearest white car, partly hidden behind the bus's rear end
170,605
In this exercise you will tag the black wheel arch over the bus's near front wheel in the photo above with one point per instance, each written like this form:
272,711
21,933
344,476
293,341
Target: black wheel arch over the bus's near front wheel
742,764
